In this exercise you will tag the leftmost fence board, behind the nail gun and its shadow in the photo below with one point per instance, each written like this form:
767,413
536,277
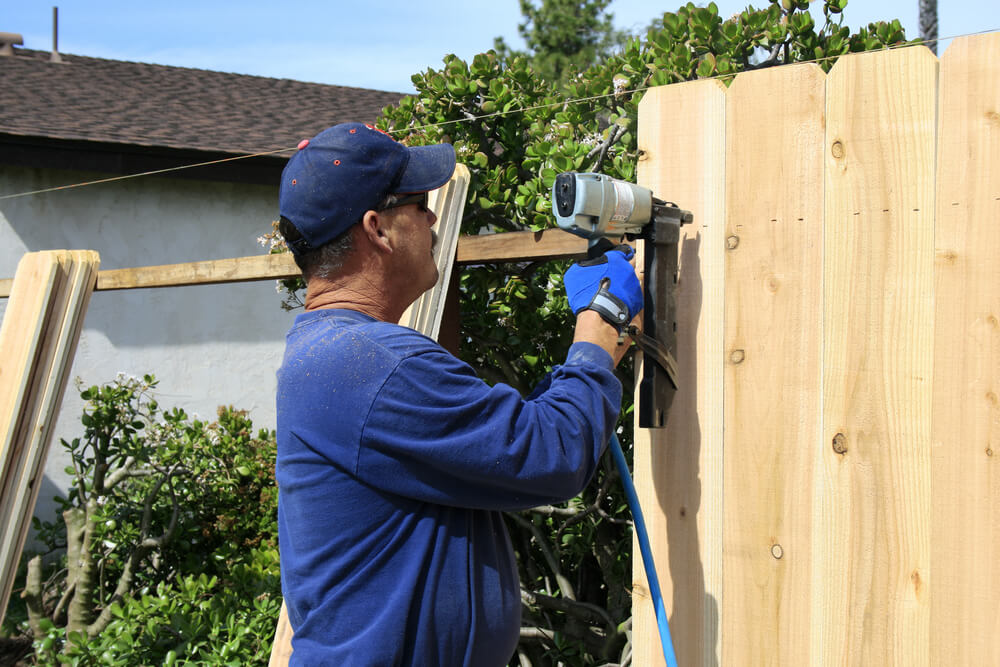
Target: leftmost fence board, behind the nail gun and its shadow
678,469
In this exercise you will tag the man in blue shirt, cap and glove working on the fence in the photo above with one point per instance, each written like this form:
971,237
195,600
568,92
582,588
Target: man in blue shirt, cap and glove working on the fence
394,459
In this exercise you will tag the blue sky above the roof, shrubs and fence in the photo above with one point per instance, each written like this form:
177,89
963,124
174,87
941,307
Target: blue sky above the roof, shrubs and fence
375,44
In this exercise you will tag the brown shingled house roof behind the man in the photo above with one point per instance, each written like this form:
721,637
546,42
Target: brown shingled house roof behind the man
115,102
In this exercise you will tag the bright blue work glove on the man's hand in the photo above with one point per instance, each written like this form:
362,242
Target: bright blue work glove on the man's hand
606,284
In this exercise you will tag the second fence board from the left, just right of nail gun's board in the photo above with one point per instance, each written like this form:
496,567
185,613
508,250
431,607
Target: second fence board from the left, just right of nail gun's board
773,372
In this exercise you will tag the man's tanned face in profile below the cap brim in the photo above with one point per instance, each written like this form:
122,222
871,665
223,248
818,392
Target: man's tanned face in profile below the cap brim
414,240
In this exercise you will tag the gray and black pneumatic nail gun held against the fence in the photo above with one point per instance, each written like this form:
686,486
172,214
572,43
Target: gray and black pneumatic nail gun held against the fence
598,207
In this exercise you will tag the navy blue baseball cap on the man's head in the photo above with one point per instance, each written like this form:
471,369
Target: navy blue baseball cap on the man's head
348,169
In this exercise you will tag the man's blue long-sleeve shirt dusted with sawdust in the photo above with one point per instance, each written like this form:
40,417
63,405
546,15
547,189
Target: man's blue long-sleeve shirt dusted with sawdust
394,462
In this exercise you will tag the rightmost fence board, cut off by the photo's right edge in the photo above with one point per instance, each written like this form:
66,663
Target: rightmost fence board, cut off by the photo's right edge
965,589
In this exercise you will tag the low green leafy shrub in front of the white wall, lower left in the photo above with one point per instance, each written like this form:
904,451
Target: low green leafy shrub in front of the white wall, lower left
168,547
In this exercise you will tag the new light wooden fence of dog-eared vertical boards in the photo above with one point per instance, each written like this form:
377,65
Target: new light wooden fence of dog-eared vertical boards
827,489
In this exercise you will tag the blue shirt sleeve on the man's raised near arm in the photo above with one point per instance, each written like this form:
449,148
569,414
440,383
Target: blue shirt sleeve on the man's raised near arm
438,433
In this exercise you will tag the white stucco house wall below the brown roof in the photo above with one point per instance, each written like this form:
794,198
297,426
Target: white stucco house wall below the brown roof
208,345
